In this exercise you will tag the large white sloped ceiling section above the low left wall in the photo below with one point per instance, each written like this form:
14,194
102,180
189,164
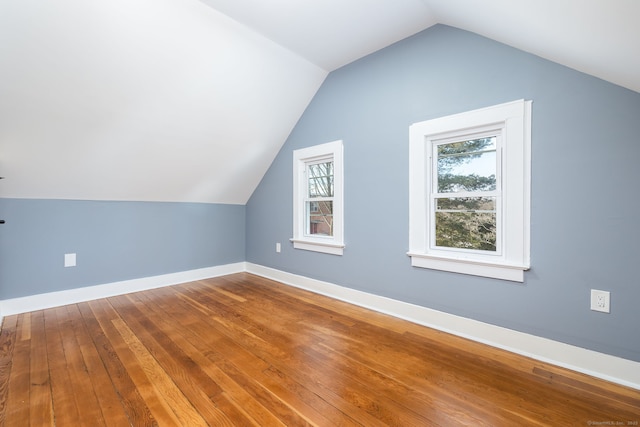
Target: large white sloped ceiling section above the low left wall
149,100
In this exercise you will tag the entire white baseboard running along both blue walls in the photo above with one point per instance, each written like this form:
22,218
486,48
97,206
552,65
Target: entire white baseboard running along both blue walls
600,365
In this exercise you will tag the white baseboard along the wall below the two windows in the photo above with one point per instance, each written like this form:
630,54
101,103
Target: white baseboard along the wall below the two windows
600,365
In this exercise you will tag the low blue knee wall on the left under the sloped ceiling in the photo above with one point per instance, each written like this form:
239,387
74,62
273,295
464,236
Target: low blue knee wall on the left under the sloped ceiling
113,241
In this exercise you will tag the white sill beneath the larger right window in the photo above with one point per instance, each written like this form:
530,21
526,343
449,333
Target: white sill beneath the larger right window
495,270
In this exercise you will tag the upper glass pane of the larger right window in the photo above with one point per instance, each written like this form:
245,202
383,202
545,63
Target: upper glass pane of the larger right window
467,165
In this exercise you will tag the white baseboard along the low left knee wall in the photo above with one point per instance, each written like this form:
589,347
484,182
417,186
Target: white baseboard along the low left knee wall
72,296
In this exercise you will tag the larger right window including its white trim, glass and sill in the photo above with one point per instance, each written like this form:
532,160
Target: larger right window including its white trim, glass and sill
470,192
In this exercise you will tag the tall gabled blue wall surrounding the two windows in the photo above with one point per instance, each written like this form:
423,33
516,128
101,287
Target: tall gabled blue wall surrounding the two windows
585,149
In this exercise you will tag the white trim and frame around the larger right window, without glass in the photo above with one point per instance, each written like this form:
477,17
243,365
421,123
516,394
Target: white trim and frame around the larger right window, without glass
513,120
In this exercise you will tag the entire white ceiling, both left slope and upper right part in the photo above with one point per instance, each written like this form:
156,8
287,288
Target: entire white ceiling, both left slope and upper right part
187,100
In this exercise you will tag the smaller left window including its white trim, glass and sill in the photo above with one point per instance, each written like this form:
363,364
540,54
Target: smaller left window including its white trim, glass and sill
317,198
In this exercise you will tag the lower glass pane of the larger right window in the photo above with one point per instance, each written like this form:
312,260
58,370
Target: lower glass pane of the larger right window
466,223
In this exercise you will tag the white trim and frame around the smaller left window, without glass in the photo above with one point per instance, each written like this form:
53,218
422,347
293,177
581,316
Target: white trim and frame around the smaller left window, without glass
327,244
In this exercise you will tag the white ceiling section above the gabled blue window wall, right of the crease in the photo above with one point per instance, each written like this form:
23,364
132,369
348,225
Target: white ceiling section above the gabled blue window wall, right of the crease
598,37
